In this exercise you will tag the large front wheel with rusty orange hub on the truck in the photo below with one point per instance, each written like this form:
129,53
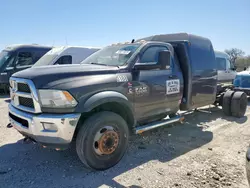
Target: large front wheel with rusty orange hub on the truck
102,140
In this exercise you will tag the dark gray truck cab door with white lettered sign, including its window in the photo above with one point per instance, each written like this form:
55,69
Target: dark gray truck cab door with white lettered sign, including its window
152,95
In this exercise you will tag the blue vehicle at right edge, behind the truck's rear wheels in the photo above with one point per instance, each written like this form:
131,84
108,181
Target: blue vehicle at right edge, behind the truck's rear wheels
242,81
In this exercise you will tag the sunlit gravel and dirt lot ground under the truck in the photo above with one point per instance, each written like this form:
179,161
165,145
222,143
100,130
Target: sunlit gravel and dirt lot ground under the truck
208,150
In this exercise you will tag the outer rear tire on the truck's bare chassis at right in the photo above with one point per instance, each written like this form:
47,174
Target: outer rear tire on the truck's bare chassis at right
239,104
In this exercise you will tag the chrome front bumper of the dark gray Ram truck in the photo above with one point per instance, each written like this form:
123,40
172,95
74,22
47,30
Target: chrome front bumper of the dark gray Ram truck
44,128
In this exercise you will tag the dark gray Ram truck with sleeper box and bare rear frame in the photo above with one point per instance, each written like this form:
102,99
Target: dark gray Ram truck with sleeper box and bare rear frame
118,90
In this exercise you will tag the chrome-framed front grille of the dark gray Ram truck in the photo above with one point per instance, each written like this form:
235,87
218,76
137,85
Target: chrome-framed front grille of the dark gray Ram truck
24,95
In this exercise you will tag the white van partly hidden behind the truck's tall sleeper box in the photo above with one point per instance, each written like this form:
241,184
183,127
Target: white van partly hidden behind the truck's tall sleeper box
226,70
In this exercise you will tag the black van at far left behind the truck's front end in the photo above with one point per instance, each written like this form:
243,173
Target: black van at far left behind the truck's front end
15,58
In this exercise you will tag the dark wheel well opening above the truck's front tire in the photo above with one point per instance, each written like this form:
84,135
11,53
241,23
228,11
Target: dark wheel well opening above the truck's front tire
115,107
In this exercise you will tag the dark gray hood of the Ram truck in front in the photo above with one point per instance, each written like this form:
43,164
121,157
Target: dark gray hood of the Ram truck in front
46,74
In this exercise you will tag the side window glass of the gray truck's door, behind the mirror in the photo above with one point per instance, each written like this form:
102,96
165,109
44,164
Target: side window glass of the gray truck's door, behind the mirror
151,54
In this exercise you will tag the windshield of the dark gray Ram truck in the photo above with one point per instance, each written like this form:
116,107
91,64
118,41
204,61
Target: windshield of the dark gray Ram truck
116,55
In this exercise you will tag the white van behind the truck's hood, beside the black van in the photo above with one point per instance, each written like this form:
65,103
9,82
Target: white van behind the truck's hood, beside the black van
65,55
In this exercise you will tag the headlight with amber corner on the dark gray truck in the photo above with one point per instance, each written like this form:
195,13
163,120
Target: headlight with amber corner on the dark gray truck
56,99
